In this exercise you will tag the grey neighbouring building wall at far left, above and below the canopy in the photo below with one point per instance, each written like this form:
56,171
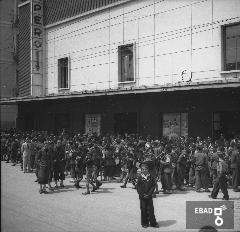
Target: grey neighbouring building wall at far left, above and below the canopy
8,114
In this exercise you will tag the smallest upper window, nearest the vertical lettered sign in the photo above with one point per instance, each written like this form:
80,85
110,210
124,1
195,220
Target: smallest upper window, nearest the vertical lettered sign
63,76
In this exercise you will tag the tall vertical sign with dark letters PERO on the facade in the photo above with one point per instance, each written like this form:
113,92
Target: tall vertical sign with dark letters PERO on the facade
36,47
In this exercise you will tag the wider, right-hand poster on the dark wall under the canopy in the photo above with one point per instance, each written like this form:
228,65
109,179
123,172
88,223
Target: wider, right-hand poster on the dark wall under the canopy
175,124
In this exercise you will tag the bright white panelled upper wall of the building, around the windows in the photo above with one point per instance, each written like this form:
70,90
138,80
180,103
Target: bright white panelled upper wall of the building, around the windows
170,36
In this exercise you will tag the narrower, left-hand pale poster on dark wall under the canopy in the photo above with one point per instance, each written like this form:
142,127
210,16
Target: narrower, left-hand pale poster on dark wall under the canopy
92,123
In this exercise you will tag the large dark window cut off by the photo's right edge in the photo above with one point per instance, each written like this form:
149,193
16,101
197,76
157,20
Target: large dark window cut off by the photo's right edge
231,41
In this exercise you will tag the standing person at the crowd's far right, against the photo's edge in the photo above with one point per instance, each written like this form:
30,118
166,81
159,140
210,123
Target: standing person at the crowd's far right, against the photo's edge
235,166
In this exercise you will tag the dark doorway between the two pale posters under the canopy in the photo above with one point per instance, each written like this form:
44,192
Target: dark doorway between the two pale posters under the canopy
125,123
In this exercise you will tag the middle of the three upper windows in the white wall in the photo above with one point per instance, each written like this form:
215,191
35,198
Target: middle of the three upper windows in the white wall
126,63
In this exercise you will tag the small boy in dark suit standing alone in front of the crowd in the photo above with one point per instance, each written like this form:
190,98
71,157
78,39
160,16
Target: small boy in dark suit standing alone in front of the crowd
145,186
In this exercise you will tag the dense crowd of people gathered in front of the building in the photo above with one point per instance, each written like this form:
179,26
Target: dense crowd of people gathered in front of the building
178,163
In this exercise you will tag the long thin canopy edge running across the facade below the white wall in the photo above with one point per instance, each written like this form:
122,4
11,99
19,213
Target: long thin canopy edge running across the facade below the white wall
233,83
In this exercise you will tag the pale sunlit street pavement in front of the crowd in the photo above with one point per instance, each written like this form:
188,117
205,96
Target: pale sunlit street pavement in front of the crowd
111,208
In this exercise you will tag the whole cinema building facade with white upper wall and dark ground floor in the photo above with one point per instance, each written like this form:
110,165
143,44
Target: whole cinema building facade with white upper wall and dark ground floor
114,66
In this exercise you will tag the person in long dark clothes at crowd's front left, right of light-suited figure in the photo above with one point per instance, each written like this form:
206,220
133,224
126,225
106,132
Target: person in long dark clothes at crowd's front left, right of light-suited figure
44,162
